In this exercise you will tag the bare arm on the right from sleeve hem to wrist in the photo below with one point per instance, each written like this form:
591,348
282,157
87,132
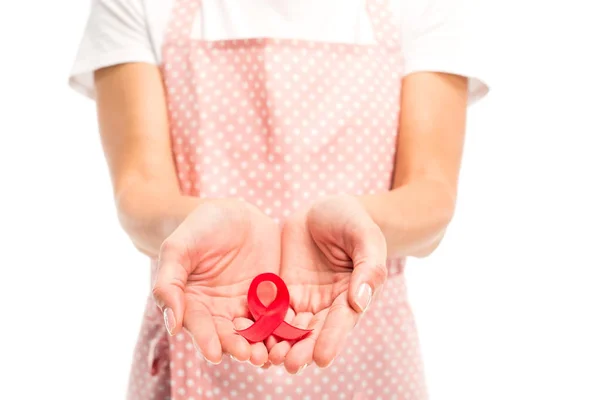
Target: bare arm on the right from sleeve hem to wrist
414,215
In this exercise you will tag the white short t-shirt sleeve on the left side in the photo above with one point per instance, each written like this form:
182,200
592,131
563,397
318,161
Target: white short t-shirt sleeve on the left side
116,32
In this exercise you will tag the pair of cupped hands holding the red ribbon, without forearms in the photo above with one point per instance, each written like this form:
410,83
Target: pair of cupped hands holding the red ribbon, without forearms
331,255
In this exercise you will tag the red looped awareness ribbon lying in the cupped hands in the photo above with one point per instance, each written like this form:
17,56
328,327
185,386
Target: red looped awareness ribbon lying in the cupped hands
269,320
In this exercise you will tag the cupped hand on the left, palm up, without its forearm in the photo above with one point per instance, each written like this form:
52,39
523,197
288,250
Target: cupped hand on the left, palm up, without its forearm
204,270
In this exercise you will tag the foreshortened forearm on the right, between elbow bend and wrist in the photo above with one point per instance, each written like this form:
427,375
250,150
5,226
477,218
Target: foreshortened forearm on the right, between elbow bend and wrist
413,217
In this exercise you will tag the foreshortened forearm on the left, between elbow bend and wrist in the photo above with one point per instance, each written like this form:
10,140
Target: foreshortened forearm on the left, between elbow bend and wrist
149,216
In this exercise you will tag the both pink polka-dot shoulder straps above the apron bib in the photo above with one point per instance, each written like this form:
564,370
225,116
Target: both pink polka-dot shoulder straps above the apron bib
185,12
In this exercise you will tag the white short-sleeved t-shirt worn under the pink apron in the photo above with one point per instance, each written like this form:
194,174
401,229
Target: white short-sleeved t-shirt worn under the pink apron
436,34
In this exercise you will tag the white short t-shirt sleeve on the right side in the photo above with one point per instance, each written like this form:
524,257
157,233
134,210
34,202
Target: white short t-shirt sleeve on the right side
439,36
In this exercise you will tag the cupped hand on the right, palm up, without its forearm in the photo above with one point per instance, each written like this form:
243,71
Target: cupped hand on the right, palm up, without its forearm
333,261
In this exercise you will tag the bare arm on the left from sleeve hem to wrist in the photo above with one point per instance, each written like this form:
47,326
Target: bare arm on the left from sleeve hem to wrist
135,136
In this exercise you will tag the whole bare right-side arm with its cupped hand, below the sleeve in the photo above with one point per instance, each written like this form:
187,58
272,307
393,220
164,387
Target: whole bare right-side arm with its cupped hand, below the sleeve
340,242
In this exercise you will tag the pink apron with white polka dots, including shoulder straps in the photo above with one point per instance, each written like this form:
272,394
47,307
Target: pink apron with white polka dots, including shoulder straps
280,123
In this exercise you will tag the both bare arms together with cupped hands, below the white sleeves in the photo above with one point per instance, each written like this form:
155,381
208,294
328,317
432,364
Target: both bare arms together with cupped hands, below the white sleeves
338,243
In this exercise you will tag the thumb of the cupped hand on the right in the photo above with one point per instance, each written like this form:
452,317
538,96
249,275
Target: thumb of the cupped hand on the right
369,254
